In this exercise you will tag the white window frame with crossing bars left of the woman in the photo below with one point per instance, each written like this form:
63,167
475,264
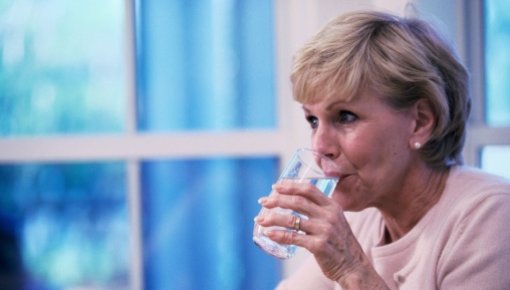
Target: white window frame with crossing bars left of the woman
133,146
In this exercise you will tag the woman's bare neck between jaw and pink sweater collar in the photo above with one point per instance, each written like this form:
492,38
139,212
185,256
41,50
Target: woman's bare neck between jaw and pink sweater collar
406,210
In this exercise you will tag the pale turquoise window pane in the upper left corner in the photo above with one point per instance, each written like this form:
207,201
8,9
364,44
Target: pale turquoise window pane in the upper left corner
62,66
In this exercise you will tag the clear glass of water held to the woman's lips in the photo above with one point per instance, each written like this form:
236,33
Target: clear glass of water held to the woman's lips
306,166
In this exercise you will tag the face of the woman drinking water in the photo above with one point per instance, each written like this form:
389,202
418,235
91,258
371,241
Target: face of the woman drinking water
369,141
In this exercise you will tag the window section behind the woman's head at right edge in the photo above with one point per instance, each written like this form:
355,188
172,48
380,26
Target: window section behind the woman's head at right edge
488,143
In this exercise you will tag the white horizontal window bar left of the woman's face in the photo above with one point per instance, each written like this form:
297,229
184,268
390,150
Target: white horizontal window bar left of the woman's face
142,146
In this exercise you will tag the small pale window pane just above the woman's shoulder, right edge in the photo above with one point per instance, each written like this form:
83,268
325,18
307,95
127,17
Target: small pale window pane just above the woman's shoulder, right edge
496,159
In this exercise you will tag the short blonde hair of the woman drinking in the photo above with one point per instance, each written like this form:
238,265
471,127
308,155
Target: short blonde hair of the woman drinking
404,59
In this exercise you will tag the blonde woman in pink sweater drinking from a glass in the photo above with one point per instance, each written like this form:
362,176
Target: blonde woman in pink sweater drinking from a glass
386,99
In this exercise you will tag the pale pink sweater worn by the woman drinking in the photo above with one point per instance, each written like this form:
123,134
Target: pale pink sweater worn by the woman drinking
463,242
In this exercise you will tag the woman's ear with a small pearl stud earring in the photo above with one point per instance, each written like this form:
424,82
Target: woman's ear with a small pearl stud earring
423,124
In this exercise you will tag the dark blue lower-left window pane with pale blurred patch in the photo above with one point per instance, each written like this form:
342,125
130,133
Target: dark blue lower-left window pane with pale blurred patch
64,226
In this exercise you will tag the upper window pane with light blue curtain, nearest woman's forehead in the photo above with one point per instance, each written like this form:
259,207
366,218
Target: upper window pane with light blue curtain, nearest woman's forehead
205,65
